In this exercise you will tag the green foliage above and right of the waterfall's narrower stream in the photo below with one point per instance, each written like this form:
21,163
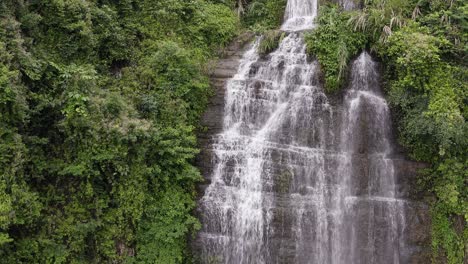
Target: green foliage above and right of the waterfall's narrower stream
422,45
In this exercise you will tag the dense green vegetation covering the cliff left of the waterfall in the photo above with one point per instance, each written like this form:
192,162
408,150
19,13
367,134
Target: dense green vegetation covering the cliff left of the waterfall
99,101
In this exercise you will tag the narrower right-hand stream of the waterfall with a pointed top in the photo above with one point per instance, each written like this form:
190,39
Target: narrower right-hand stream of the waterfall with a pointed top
373,222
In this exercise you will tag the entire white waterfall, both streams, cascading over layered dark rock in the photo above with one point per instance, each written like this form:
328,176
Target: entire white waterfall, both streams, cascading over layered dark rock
295,179
